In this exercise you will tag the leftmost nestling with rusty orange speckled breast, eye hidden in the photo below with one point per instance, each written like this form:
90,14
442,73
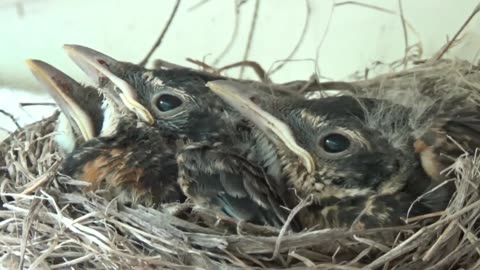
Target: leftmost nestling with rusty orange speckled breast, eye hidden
128,157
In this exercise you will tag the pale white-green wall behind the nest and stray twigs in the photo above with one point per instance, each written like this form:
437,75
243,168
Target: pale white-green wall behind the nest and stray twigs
356,36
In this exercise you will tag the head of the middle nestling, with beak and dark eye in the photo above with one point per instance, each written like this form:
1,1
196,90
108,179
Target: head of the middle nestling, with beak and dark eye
174,100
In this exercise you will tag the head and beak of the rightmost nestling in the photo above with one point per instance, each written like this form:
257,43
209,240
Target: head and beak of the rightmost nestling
332,147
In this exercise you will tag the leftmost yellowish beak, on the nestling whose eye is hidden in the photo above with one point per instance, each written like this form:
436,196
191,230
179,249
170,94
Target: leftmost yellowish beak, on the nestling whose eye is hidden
62,89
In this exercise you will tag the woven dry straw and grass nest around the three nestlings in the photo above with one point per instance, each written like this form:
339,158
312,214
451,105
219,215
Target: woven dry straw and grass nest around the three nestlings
52,224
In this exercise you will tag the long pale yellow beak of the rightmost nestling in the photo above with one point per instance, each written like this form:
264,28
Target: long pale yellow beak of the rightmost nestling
235,94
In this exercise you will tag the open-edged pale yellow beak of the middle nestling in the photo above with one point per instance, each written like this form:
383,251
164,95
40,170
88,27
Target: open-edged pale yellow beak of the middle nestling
99,66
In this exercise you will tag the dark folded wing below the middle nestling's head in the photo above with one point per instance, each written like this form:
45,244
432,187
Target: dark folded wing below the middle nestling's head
217,177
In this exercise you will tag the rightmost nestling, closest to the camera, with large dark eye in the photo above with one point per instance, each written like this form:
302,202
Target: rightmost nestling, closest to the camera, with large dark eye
354,156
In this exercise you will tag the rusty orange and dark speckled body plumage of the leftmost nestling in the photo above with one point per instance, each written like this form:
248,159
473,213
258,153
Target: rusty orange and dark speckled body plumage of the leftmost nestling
137,164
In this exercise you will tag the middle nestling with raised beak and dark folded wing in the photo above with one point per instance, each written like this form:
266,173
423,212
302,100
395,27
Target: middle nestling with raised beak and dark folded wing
178,104
